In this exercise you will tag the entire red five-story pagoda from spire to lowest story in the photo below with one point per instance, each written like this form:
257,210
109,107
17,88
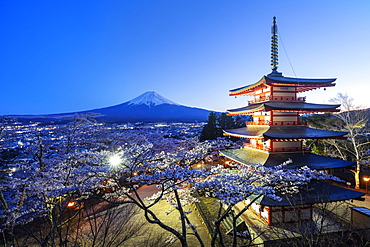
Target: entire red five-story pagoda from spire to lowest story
276,136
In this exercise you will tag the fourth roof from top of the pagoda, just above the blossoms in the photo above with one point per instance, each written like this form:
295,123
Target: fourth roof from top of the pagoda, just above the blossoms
250,156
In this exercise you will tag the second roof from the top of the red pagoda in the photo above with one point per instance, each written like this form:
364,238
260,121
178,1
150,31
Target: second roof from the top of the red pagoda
292,106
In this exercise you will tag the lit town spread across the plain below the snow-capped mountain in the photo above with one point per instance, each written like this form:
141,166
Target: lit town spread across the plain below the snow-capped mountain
18,138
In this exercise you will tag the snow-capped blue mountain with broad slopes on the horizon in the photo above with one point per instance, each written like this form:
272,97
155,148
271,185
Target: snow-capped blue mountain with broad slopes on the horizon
148,107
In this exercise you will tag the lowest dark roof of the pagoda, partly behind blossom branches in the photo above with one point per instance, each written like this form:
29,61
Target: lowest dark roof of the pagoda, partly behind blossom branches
315,192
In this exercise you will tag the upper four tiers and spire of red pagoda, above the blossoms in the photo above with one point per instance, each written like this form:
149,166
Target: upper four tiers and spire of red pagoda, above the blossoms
276,134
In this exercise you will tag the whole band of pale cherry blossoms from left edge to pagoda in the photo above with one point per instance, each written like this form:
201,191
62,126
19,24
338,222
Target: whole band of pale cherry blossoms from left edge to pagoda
45,178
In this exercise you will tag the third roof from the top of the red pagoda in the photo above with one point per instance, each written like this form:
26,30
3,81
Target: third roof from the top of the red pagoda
283,132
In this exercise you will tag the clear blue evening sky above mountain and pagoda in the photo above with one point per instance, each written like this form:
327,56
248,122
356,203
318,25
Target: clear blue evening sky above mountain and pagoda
66,56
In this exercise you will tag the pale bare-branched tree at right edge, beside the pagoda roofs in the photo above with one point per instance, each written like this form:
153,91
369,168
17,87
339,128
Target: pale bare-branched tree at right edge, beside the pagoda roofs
351,119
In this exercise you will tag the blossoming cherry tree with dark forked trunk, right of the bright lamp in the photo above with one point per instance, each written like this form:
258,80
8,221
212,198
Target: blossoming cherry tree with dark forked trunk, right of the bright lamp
168,171
